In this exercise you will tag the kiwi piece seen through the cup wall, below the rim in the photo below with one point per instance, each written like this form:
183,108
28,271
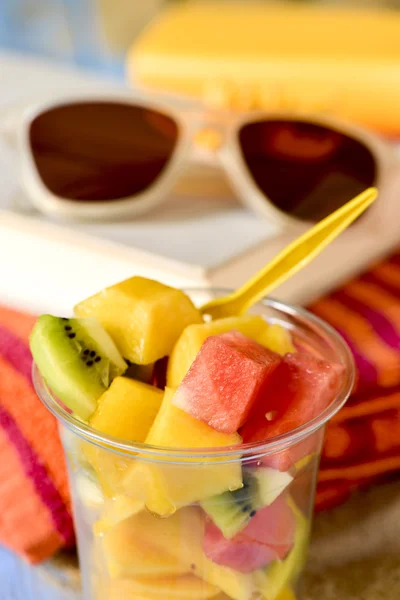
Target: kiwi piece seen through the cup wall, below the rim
231,511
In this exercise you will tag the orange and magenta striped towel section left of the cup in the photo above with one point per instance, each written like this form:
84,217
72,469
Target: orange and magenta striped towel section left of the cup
35,508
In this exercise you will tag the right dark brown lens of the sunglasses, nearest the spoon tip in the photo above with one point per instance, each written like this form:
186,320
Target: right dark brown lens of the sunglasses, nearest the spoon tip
306,170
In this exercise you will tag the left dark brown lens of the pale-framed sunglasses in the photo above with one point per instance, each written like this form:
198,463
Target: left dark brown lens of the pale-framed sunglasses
101,150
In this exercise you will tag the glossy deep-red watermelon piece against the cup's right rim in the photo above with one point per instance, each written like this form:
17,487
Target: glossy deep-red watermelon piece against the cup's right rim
301,388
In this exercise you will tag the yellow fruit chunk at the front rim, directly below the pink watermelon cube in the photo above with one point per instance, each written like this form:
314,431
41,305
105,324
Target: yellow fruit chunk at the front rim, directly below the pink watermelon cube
171,486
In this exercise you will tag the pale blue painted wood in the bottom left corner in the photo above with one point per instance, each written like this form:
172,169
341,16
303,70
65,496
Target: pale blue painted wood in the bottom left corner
20,581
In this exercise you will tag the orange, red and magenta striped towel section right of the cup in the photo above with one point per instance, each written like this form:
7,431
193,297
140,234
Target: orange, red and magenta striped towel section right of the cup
362,443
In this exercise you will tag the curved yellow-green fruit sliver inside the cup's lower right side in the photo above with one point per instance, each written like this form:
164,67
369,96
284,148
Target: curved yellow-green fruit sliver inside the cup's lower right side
273,580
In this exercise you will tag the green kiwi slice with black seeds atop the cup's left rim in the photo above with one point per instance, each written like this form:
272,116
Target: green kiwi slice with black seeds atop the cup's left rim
77,359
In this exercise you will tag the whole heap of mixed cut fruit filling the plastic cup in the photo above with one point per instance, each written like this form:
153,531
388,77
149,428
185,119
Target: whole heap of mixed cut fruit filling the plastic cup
191,484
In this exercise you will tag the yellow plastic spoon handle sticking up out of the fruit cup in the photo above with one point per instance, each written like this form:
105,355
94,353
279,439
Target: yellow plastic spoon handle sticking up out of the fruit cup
293,258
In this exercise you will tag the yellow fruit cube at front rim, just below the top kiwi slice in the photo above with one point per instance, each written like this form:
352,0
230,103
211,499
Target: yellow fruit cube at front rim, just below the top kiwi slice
126,411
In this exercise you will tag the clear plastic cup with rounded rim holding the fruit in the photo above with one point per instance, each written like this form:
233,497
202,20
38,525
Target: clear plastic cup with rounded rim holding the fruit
142,513
